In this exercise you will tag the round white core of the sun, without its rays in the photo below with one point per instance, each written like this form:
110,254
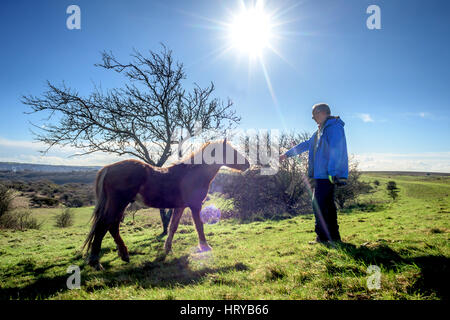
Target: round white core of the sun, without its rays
251,30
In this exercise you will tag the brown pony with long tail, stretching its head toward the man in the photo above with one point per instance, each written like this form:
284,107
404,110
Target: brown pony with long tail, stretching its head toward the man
184,184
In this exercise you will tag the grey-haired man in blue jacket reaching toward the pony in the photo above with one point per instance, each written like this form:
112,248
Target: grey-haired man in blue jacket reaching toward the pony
328,165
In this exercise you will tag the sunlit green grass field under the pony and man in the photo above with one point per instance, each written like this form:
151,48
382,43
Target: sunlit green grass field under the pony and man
407,239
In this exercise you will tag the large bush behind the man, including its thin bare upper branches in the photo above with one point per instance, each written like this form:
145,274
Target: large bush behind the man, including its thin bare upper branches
287,192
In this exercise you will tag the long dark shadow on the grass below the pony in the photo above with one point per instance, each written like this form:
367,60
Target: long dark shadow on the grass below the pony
159,273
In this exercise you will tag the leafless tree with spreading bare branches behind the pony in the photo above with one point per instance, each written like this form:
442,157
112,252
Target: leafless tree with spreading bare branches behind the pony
139,119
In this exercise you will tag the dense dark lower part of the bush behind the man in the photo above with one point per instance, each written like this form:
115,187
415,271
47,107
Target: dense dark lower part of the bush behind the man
284,194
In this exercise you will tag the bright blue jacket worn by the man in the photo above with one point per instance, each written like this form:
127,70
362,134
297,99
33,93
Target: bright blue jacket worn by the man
331,155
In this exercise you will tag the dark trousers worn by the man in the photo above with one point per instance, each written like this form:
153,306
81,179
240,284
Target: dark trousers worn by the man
325,211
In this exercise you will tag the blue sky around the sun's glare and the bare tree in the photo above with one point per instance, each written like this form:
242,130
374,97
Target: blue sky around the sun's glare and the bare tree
390,86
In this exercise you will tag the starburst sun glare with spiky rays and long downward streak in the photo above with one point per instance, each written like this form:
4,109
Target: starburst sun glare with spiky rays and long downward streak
254,30
